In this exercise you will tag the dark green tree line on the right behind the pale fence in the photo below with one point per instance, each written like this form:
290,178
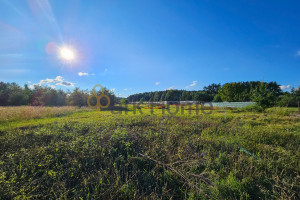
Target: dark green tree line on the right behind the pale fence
264,93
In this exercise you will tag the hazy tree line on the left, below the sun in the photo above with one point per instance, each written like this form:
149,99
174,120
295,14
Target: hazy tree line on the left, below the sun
12,94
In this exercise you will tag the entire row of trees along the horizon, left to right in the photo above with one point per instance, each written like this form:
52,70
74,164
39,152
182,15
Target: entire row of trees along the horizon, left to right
265,94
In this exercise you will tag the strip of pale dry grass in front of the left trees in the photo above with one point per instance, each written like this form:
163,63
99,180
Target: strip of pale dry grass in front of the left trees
30,112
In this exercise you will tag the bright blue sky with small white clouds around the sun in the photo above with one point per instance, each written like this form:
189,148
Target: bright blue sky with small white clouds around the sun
149,45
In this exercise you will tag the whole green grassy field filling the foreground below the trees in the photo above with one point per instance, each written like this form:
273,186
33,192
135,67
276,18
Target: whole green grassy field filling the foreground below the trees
82,154
